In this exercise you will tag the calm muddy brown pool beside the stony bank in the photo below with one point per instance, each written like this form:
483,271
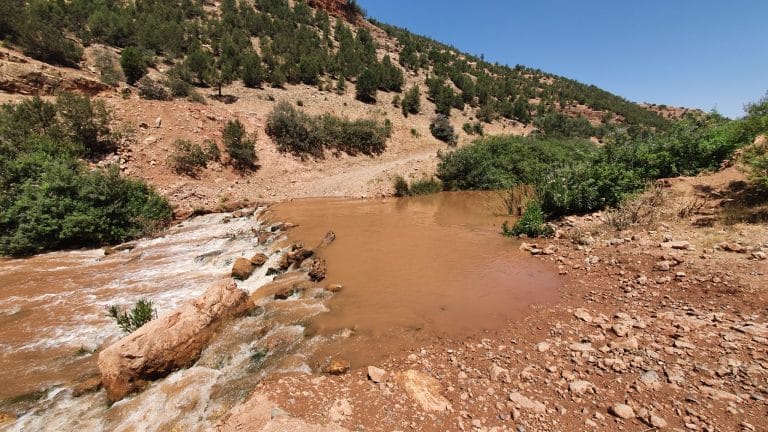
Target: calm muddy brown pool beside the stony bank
416,268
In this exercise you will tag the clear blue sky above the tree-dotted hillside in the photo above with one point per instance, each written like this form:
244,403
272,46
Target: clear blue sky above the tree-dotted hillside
696,53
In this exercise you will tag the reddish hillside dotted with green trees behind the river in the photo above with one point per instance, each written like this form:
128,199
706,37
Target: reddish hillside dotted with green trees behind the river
300,53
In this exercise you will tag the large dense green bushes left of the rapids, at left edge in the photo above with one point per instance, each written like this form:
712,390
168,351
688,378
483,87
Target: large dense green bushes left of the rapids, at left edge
49,199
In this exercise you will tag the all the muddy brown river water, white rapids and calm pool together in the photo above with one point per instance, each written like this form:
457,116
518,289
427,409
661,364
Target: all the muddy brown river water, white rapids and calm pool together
411,269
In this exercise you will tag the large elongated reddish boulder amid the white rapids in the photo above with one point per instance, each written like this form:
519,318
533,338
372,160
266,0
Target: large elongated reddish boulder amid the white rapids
169,343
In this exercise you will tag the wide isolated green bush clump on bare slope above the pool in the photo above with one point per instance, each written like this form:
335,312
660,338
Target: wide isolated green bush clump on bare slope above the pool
296,132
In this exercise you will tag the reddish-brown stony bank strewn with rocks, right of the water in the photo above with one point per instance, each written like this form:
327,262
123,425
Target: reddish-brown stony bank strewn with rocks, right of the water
661,326
